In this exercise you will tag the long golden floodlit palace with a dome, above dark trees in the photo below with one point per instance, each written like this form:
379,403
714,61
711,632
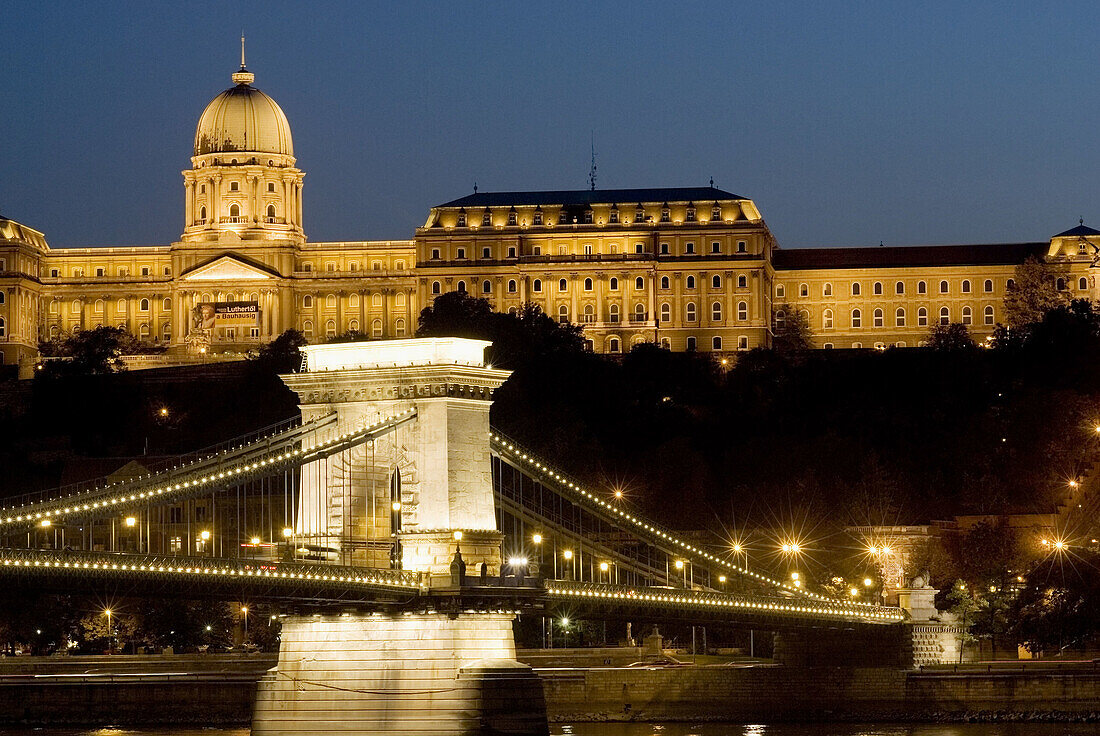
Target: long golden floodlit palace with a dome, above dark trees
684,268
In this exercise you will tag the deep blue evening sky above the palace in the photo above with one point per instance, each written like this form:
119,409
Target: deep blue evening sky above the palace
849,124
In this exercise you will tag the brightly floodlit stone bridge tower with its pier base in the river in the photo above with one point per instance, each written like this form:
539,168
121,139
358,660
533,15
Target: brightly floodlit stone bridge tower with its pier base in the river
402,673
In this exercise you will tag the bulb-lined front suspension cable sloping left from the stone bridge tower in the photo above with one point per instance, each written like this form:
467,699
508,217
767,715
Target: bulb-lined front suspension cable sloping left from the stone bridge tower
46,519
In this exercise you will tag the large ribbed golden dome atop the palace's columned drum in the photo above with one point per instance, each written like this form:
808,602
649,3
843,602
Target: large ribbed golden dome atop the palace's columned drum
244,119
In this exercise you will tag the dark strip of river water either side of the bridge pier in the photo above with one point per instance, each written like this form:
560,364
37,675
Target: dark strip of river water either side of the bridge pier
678,730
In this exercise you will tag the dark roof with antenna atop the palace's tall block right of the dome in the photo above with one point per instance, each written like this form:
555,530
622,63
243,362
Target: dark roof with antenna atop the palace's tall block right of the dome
699,195
